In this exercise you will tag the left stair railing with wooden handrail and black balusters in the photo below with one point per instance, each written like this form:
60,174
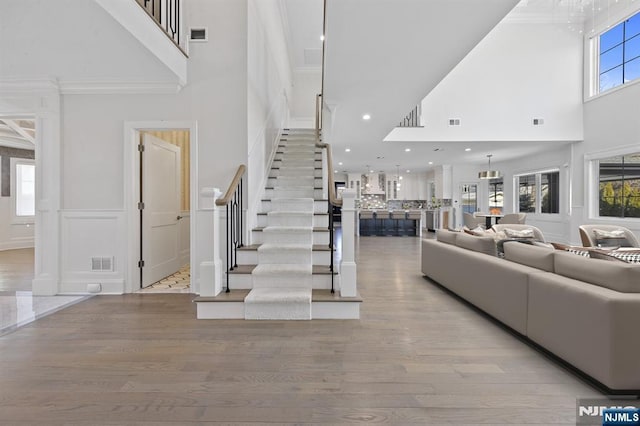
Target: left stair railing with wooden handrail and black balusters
232,200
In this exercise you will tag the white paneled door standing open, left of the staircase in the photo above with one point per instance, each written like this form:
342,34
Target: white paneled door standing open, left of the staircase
161,213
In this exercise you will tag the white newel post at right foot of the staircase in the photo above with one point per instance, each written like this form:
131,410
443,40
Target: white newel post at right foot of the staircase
348,271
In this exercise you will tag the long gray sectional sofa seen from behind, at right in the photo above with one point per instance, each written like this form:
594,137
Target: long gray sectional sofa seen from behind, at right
585,311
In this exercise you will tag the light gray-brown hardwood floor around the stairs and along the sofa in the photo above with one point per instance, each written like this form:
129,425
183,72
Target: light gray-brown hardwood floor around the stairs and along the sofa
417,356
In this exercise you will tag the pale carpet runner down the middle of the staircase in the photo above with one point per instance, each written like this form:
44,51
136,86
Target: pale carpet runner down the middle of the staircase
282,280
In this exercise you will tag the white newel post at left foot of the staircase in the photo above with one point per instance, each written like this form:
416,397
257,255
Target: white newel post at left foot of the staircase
211,271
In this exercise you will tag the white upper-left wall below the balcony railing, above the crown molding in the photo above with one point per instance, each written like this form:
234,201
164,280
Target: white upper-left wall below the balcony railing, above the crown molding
43,37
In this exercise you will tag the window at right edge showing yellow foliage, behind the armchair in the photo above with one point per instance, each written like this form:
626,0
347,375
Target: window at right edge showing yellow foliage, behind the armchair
619,186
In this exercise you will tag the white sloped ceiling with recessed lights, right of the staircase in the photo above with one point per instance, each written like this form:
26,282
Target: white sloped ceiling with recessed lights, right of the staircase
382,58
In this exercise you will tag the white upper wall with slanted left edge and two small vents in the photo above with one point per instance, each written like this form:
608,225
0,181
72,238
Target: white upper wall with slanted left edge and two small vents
517,72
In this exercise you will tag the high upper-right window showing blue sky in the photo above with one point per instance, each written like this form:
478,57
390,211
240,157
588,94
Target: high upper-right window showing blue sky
619,54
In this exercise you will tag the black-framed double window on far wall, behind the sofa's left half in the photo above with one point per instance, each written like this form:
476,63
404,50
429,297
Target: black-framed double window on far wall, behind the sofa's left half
539,192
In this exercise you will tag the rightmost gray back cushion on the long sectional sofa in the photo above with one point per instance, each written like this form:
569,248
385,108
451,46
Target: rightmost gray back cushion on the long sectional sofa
619,276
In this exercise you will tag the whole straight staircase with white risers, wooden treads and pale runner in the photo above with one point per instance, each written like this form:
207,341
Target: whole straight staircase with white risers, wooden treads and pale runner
286,274
